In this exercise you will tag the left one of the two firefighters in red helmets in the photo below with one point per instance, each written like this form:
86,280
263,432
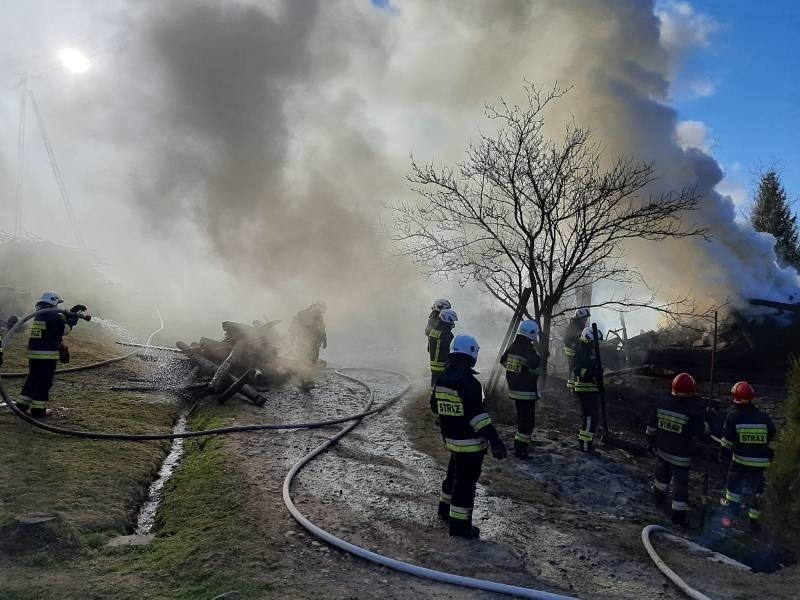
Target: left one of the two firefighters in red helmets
671,430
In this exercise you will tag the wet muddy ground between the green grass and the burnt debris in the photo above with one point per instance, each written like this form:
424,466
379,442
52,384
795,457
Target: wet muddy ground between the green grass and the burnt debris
562,522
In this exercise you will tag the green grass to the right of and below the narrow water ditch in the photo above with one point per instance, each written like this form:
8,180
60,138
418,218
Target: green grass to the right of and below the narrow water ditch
207,541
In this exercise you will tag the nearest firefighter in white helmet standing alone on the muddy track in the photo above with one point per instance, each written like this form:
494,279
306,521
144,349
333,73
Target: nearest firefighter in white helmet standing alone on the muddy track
467,430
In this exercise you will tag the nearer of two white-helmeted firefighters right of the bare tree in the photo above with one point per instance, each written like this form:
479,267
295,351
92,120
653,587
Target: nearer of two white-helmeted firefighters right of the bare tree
586,382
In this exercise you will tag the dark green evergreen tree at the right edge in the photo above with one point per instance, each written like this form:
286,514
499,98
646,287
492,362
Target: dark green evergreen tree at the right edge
771,214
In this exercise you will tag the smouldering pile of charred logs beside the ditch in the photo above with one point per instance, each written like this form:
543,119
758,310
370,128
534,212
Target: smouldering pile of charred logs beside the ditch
245,362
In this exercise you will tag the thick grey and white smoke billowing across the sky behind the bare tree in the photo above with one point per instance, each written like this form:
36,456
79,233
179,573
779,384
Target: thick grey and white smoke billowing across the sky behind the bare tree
233,160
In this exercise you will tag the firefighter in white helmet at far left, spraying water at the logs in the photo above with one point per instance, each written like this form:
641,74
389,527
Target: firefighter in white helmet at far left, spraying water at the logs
45,349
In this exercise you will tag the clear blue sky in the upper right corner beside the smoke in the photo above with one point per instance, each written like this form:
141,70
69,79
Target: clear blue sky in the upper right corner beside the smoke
744,85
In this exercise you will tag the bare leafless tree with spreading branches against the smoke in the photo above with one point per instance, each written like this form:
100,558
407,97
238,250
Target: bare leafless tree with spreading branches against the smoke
522,210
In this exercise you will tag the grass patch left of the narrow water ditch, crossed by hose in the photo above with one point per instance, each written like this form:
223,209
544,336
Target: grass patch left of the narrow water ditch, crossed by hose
93,485
